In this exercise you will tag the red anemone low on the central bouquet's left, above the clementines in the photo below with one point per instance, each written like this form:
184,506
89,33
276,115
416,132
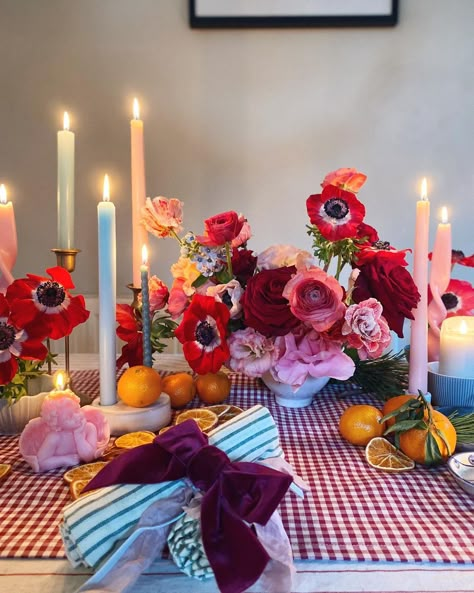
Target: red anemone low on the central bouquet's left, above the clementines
203,334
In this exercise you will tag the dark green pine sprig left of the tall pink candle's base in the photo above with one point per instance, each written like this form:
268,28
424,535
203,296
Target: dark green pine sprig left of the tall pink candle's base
385,376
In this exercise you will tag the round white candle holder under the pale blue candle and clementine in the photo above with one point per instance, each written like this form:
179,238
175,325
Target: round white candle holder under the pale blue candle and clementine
123,418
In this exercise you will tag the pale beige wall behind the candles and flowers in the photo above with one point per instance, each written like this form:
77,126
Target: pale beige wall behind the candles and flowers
249,120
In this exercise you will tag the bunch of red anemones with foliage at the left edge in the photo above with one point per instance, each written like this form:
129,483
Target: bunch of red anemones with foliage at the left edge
34,310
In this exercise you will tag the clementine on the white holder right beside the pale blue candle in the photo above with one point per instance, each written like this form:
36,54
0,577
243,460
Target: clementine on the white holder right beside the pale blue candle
139,386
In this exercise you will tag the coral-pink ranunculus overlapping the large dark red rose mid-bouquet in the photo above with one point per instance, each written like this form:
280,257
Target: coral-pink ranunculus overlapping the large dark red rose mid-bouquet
315,298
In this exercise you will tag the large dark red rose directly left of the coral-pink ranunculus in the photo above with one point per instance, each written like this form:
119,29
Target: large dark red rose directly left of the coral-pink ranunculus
265,308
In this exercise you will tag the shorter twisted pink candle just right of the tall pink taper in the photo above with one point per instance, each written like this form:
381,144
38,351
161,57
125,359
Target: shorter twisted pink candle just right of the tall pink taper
440,273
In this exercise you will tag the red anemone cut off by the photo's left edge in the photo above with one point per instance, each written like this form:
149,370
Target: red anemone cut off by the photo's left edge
16,342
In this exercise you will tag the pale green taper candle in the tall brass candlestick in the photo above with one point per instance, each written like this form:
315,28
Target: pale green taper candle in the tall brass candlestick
66,186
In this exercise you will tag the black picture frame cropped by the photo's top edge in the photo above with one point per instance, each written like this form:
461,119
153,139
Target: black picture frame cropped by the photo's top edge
201,19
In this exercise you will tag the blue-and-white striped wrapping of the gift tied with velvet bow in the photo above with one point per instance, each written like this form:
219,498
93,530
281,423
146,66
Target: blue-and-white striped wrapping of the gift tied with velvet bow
92,525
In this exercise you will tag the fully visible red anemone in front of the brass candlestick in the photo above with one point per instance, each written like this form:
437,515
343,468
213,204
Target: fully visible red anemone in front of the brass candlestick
47,303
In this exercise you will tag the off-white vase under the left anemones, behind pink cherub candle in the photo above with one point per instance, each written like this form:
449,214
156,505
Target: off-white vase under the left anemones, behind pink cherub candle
14,417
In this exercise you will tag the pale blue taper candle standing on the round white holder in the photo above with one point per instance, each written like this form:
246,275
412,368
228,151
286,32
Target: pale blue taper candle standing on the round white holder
107,298
